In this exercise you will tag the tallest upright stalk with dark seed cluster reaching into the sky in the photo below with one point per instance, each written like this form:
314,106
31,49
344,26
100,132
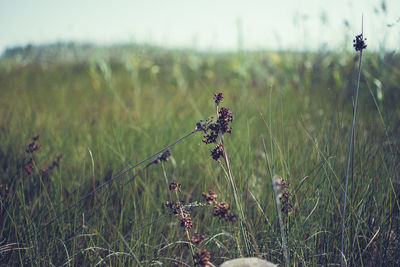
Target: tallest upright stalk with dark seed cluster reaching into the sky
359,45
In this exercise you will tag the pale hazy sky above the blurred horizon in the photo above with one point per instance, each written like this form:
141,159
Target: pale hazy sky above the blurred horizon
202,24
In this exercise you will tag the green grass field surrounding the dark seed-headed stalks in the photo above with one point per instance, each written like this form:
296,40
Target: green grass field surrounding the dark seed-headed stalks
105,114
